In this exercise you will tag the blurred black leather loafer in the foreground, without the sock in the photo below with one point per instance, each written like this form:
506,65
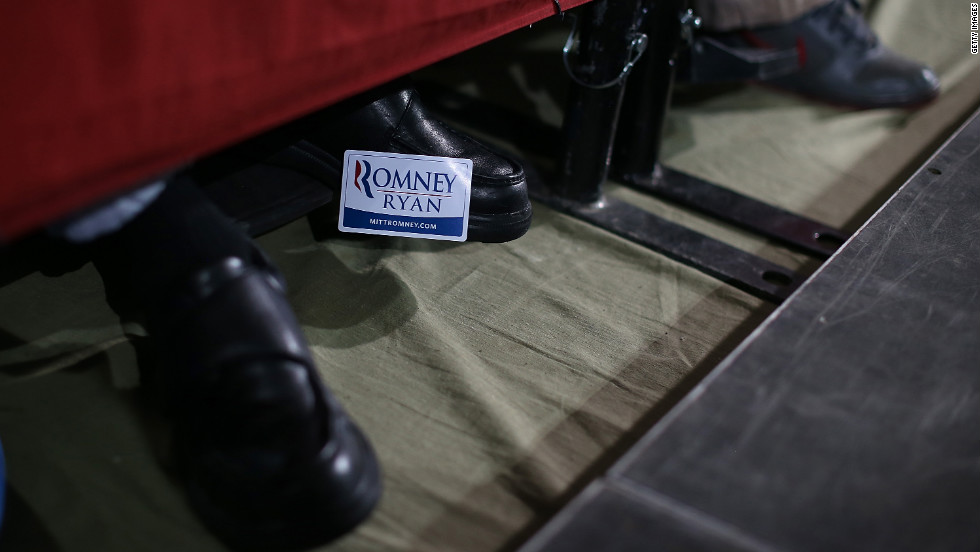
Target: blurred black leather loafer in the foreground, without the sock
269,457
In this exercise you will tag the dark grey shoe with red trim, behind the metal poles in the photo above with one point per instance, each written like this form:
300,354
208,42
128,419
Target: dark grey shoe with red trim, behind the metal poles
841,60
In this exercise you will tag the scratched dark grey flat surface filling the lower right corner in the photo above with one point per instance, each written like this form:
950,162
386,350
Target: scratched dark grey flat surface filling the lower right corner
850,420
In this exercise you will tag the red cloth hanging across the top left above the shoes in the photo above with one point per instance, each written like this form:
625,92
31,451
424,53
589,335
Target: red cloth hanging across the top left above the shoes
98,95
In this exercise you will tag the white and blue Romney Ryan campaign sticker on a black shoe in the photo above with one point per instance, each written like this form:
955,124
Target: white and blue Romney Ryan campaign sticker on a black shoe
414,196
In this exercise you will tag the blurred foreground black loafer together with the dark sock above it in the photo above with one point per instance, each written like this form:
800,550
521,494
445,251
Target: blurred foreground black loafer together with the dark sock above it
269,458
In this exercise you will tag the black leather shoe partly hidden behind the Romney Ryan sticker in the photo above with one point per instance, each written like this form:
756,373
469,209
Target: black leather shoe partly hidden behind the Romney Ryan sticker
394,120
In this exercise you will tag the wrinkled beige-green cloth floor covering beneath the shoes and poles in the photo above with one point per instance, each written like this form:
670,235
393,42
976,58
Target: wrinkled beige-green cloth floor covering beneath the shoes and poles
490,378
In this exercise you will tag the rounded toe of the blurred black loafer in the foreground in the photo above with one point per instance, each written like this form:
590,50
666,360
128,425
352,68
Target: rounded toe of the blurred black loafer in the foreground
274,462
